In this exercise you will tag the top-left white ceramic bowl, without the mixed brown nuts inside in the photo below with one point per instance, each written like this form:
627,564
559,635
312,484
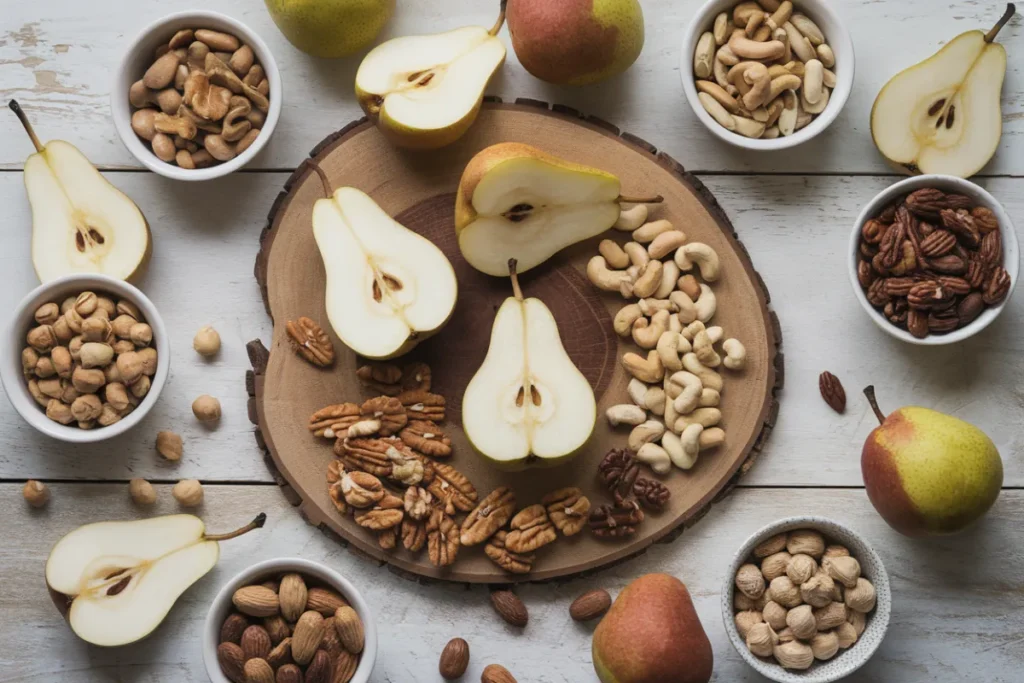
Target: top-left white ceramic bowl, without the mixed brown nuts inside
138,59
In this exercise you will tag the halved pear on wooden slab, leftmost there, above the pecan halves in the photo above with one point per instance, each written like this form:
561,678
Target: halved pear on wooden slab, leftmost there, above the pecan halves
388,287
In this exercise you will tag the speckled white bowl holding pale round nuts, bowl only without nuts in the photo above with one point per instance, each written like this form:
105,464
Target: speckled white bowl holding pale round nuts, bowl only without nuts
846,662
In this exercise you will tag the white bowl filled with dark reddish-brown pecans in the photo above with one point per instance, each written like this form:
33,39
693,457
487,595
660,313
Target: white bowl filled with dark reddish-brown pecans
933,260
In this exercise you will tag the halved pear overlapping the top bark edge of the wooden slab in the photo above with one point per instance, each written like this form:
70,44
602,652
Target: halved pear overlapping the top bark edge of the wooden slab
425,92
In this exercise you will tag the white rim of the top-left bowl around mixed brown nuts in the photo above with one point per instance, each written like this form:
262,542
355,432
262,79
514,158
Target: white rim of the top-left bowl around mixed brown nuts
119,100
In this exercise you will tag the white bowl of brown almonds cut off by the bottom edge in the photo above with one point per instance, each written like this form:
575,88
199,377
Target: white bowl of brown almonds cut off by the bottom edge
289,621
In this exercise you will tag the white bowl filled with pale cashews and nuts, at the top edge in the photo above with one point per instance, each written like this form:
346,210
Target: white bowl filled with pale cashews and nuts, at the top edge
767,74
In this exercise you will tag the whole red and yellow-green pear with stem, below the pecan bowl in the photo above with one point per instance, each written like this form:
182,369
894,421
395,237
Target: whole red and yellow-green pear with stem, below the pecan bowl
929,474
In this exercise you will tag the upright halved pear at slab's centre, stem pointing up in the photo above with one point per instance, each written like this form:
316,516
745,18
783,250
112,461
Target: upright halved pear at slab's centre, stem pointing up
528,405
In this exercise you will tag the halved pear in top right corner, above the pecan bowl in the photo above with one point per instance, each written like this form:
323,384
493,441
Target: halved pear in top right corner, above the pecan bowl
945,115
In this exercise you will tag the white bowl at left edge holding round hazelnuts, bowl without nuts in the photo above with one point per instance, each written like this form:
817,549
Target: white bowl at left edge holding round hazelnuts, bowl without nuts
24,319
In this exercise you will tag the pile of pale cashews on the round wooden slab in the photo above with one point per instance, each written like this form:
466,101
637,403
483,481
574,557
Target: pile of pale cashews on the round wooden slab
676,388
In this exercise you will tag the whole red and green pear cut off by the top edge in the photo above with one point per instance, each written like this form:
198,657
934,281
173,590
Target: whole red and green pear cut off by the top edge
576,42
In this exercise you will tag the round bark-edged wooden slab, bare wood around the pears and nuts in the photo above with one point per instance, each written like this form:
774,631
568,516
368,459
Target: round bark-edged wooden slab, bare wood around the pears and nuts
419,190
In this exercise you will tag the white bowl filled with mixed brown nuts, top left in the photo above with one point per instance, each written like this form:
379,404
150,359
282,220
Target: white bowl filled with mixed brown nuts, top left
197,96
